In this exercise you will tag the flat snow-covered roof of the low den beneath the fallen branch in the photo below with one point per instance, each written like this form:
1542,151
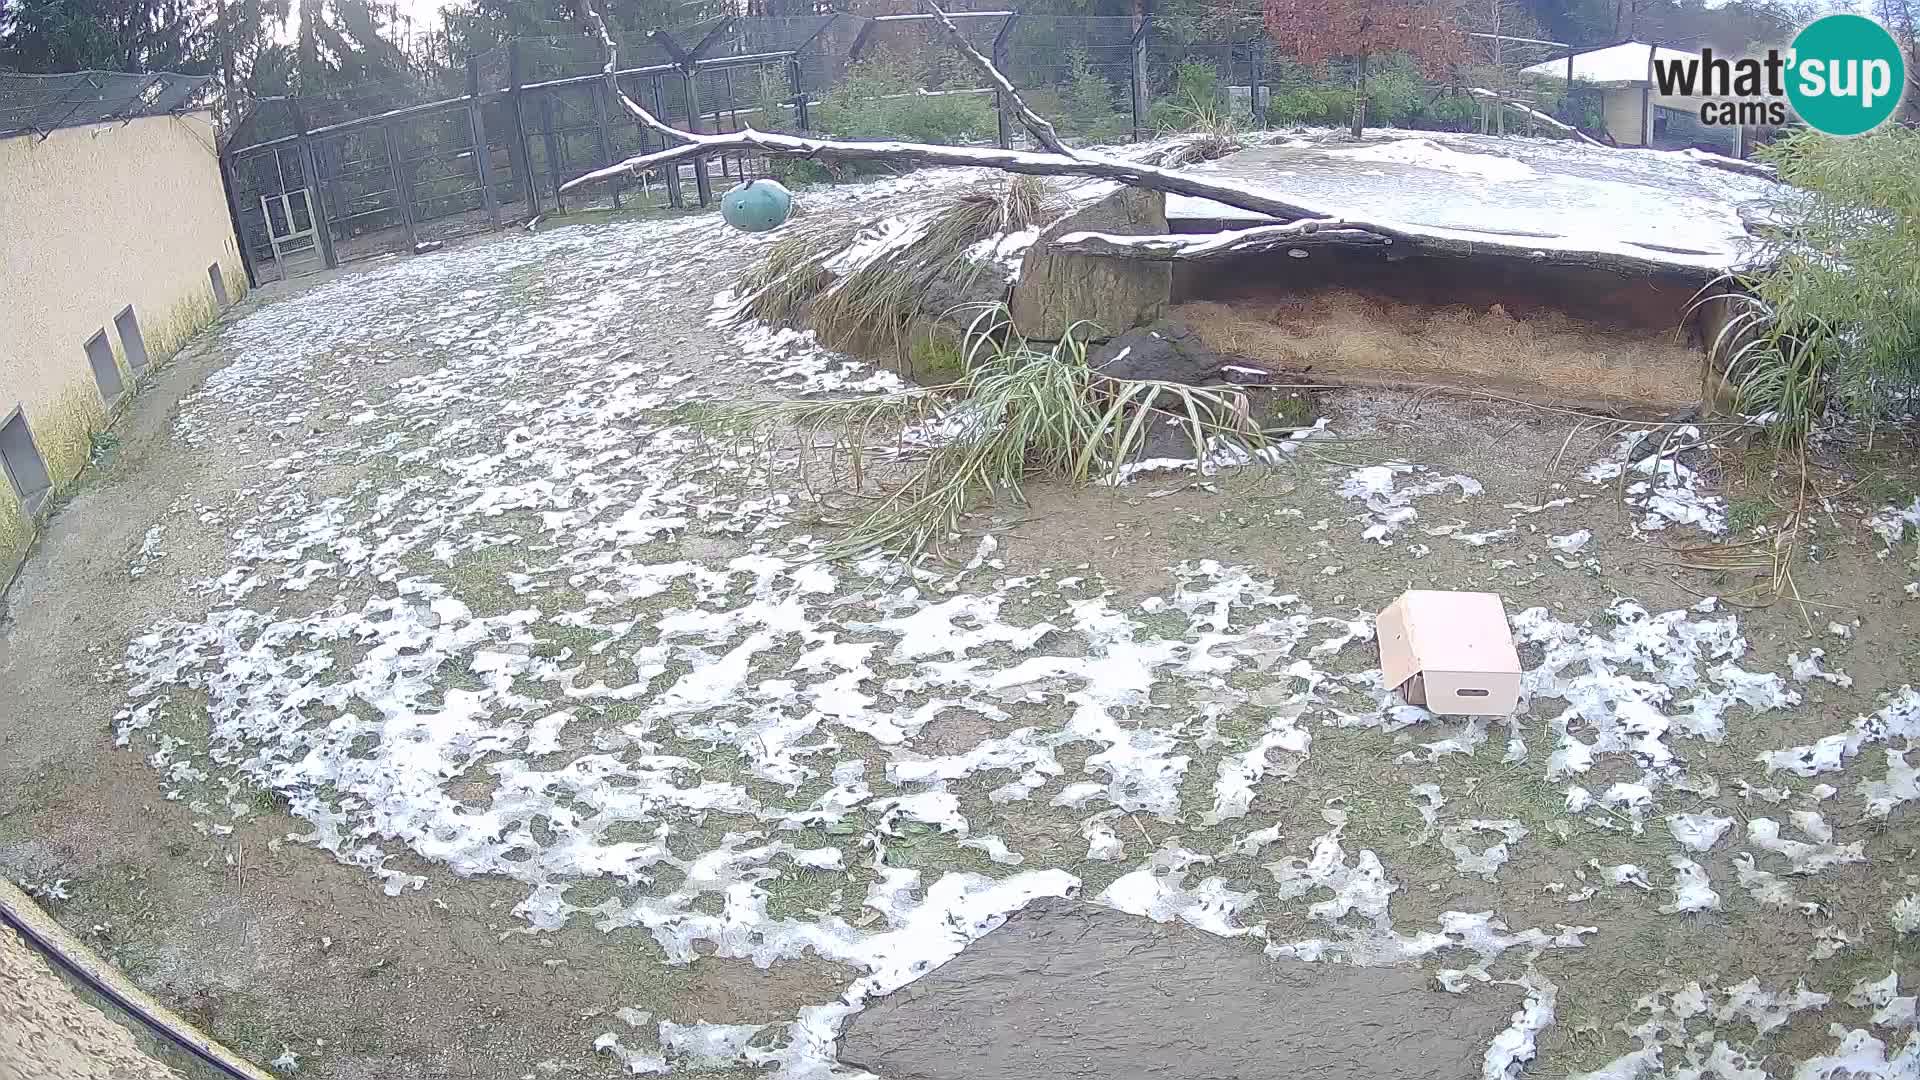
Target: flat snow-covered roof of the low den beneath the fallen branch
1516,195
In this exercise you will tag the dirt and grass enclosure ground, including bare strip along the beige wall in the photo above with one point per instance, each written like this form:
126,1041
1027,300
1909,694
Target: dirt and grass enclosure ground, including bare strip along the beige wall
494,422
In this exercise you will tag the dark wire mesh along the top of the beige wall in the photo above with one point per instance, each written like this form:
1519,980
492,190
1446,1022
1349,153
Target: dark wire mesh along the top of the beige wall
39,105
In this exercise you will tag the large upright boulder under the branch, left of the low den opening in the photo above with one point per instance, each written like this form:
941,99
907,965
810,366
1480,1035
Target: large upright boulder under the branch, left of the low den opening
1057,291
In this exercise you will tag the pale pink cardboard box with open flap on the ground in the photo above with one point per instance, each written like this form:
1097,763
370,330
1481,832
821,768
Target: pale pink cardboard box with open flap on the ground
1451,652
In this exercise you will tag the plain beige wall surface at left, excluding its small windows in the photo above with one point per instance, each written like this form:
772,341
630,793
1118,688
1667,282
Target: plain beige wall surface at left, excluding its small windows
93,220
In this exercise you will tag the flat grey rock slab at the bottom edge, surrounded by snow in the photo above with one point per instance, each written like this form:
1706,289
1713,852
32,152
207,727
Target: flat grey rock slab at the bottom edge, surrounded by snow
1067,991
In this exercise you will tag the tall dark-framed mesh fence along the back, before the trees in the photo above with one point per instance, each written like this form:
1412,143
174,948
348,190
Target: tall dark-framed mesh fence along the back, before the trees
402,164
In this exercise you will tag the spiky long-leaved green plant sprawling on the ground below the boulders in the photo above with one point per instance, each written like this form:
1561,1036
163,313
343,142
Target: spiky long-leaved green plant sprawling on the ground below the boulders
1019,412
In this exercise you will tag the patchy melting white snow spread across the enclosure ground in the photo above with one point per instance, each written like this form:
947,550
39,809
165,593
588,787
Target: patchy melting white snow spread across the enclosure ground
492,624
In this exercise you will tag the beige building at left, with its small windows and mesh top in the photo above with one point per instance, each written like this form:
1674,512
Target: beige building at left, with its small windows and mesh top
118,247
